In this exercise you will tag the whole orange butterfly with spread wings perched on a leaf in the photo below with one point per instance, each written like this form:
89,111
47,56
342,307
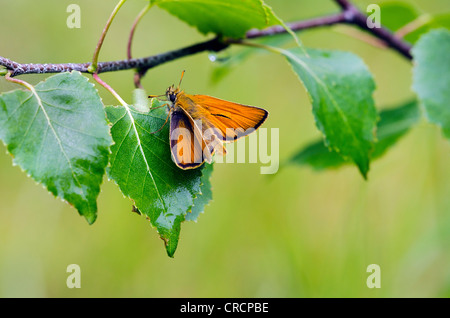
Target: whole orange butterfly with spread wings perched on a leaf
200,124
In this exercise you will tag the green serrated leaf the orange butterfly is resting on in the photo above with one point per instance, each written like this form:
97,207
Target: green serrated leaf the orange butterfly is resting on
142,166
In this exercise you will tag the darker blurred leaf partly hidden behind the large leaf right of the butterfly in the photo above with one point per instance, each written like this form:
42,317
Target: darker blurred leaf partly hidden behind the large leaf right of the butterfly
394,123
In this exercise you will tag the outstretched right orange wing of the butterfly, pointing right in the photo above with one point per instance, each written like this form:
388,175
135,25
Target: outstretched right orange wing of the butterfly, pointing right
230,121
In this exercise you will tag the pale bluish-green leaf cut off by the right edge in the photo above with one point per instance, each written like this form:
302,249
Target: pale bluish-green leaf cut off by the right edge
431,79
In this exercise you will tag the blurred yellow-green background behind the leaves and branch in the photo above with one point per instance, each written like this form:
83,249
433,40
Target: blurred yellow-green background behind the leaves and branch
296,234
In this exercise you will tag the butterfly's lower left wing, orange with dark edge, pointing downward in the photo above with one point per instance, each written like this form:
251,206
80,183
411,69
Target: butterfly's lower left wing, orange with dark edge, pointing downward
189,150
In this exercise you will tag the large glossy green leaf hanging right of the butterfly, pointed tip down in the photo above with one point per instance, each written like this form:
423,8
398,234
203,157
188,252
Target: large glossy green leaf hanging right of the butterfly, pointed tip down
341,88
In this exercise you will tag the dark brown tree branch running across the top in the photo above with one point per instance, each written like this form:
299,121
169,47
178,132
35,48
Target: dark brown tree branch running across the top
349,15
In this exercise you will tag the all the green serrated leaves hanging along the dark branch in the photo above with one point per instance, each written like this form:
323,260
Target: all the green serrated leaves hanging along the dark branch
58,133
